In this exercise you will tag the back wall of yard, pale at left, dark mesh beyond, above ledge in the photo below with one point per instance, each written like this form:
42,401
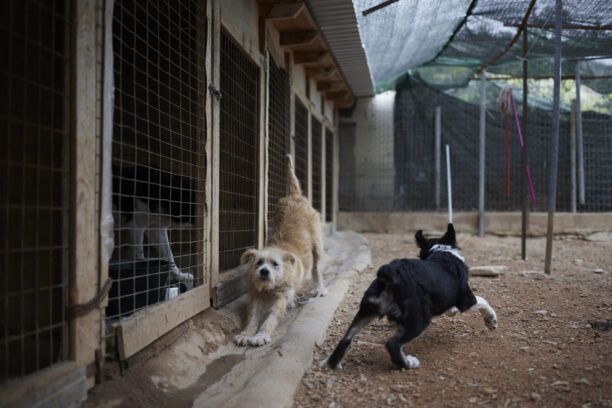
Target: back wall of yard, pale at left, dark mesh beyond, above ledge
407,157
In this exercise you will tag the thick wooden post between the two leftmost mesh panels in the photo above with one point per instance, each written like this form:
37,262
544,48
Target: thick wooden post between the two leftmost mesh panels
84,280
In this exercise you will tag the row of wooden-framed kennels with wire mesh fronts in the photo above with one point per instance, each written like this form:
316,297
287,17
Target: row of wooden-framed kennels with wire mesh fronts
144,153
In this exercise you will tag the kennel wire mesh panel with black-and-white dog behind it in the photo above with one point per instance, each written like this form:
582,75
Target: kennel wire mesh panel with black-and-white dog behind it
158,152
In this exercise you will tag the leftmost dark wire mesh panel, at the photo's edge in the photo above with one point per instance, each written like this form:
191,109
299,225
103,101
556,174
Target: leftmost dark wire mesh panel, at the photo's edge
34,181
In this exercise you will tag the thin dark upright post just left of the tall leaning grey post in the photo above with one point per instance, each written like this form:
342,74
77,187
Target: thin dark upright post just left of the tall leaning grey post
524,155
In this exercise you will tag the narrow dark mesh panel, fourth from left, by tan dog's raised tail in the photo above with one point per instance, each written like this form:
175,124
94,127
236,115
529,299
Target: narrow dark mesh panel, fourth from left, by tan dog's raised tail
278,130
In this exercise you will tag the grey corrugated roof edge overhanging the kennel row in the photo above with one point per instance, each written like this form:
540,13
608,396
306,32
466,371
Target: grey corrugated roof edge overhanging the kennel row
338,23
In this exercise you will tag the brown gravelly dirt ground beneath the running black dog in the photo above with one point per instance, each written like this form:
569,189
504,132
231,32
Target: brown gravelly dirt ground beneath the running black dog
544,352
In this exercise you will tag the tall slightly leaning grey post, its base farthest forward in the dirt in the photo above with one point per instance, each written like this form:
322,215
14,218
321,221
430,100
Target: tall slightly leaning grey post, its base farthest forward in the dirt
554,142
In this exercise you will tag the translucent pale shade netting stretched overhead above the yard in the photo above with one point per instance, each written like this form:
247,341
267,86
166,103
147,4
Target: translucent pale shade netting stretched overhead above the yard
444,43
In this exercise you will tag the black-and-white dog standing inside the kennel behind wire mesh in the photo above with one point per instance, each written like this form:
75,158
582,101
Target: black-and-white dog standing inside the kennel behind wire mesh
148,202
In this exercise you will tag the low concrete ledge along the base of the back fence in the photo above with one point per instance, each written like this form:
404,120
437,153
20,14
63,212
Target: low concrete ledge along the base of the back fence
499,223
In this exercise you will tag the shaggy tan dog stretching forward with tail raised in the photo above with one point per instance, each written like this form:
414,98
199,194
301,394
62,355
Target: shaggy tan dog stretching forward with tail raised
276,272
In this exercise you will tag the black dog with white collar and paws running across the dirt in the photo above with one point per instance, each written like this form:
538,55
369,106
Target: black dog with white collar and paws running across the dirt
410,292
